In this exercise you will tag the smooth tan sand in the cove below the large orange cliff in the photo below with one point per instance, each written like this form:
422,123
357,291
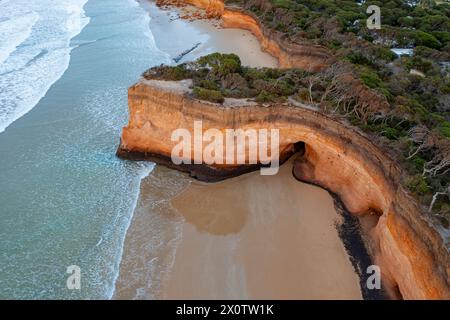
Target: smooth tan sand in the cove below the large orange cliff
260,237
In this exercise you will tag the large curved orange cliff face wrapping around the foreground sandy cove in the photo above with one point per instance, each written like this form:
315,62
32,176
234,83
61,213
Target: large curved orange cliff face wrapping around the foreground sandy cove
411,254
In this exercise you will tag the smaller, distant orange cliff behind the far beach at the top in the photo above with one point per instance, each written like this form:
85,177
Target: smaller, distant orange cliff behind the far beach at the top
306,56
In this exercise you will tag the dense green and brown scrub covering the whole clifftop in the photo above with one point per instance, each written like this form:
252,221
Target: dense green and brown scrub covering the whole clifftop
402,102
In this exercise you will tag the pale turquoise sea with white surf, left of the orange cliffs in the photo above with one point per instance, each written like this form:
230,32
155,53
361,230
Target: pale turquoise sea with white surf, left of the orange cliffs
65,198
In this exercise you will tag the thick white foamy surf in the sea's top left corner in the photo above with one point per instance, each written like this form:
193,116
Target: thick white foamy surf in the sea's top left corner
34,50
